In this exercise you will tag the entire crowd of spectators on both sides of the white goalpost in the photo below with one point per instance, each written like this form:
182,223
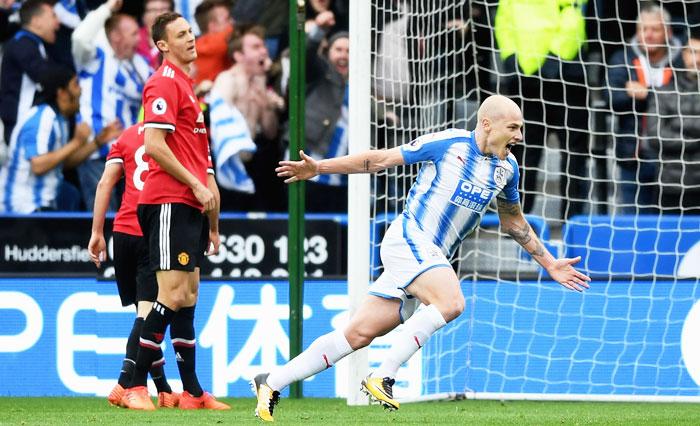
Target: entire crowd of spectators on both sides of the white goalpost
649,81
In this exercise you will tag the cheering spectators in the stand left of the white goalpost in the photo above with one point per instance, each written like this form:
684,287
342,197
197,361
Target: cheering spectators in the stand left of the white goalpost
240,75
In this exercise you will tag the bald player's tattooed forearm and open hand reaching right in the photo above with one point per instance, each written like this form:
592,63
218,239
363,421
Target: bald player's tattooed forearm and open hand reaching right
514,224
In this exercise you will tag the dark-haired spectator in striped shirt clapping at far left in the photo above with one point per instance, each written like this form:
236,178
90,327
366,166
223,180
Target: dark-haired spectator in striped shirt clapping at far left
39,147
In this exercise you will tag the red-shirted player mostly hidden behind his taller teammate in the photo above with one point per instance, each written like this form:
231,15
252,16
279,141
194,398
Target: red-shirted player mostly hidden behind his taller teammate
135,281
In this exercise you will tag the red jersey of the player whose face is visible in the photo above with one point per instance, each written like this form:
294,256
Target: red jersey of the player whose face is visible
170,104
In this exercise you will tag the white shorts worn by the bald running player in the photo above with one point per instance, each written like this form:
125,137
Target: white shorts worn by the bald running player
405,255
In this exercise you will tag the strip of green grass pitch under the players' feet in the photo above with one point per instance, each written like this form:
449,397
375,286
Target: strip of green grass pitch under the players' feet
74,411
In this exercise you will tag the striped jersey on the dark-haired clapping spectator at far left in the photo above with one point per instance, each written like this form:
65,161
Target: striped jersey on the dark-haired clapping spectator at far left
40,132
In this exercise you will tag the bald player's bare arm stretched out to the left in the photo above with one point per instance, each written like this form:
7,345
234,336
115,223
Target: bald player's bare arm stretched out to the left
371,161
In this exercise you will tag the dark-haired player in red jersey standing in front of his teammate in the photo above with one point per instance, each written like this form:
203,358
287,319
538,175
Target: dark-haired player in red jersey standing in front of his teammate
178,212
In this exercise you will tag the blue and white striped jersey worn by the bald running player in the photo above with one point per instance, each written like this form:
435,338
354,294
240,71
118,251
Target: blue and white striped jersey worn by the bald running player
454,186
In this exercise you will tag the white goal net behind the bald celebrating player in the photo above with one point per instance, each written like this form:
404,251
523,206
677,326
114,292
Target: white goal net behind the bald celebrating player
633,335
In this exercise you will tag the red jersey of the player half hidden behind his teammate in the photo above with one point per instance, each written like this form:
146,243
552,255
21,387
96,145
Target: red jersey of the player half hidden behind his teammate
129,151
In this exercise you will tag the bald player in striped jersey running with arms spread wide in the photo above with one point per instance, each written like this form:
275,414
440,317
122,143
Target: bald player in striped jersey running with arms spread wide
463,172
